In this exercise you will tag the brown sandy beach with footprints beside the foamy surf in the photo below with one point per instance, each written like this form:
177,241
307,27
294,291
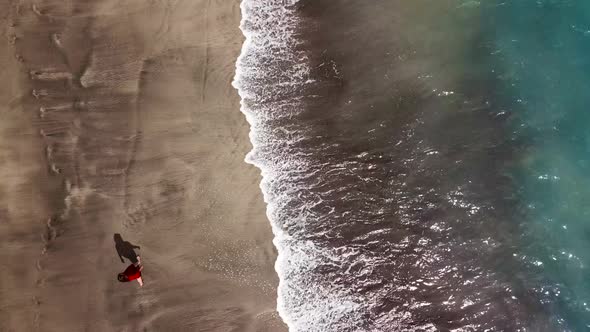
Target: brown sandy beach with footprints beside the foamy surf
118,117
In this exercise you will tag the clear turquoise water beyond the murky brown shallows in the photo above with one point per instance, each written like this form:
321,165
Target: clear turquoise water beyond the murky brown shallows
542,58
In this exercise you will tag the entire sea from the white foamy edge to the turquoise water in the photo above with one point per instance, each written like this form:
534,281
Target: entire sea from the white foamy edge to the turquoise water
425,163
